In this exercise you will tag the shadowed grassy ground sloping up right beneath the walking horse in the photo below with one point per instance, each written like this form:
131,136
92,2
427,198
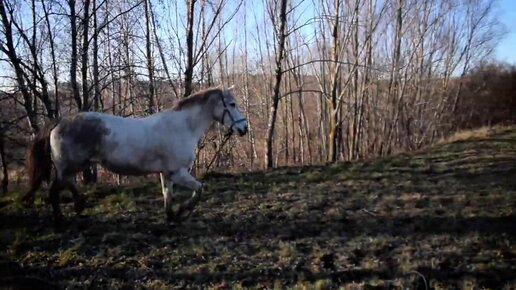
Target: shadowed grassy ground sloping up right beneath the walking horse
440,218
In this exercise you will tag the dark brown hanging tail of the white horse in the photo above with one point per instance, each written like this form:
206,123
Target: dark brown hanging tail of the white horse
38,160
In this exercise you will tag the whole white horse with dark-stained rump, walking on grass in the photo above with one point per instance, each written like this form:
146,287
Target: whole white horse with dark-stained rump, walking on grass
162,143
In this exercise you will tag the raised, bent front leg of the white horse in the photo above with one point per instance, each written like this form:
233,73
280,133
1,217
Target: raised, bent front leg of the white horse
182,177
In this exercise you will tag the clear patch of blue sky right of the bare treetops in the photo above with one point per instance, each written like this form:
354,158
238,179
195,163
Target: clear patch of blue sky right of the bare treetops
506,50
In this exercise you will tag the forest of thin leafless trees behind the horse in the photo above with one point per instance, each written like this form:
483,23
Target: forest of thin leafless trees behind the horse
319,81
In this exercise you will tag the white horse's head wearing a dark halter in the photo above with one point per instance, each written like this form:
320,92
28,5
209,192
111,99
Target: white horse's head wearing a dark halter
227,113
